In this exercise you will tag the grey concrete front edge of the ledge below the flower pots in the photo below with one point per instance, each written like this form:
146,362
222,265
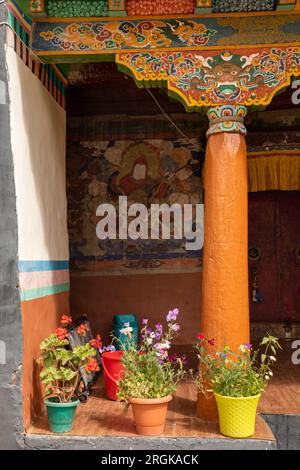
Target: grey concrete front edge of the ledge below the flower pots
44,442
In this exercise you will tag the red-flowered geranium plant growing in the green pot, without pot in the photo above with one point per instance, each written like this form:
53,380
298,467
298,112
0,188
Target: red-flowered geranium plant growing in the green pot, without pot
60,371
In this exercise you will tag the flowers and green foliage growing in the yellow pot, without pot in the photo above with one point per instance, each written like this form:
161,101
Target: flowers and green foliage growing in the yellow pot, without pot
235,375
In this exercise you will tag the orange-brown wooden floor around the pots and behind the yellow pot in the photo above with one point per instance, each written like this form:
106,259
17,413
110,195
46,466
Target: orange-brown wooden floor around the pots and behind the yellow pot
101,417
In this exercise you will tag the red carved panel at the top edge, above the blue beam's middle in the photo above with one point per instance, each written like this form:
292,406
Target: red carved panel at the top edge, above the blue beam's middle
163,7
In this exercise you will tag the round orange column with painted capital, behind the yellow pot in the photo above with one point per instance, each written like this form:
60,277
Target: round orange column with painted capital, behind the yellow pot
225,308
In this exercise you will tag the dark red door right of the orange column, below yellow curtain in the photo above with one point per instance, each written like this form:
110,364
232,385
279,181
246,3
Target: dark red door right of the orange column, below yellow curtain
274,264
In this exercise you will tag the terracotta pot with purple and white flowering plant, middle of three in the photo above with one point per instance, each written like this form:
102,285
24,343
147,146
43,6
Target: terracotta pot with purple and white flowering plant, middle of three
151,374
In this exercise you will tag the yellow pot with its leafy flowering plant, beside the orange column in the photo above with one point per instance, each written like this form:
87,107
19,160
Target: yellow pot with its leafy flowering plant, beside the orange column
236,381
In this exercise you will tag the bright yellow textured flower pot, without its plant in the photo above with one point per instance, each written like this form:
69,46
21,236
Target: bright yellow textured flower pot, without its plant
237,415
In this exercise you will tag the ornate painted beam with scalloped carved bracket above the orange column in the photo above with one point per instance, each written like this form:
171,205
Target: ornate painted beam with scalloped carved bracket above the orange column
202,61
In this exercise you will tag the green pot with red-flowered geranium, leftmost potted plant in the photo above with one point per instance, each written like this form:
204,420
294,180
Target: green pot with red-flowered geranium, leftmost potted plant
60,374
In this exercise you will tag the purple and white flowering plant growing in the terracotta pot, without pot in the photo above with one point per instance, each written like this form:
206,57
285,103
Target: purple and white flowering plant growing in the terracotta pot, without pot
149,370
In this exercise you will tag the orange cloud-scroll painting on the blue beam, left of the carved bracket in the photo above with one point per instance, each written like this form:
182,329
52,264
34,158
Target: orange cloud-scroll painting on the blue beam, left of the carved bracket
99,35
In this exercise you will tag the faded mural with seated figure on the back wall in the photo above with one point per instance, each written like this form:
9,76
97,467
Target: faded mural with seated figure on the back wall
146,171
